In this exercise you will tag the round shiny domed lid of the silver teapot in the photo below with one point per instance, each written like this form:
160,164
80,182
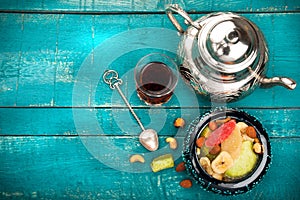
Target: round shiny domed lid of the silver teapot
230,43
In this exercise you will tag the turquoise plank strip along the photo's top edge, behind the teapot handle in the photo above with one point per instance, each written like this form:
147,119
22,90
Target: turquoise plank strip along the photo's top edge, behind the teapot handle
150,6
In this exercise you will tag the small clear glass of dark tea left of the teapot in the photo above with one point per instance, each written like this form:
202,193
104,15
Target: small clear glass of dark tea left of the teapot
156,77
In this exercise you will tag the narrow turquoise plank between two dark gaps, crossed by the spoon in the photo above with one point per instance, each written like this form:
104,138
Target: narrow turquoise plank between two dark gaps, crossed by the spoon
119,122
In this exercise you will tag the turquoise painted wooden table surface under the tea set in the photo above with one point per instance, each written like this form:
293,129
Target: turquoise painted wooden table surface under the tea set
66,135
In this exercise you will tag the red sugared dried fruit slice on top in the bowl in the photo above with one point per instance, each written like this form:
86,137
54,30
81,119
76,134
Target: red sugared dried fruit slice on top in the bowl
220,134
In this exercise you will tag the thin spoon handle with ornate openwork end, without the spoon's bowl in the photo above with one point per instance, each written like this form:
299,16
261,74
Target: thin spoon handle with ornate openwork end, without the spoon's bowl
111,77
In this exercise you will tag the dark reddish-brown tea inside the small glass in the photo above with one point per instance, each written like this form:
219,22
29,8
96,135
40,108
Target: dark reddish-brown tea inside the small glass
155,82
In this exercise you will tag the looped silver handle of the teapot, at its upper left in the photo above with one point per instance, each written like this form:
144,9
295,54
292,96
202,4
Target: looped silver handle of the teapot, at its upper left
175,8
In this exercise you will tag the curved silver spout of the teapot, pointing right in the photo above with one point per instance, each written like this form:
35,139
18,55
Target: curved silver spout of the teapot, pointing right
282,81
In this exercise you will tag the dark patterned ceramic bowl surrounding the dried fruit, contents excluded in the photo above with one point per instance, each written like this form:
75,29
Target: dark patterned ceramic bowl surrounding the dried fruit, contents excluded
236,186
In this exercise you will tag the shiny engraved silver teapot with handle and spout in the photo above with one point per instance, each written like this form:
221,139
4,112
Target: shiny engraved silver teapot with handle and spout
223,55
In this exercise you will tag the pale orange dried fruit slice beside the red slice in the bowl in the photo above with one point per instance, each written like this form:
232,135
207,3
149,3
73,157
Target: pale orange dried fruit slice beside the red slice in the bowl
233,143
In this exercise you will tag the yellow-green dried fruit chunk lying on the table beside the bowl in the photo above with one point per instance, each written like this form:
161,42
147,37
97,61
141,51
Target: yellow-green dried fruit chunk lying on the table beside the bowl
162,162
